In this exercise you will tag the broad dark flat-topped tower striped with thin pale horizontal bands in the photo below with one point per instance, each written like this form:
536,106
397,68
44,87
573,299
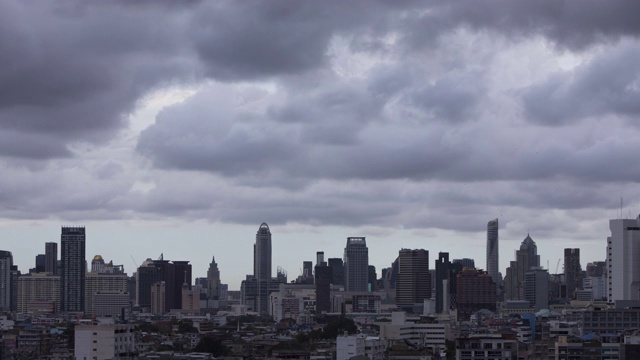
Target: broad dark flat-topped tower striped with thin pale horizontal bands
413,284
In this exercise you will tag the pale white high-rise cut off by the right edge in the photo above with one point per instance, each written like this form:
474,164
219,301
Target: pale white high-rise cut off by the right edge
623,260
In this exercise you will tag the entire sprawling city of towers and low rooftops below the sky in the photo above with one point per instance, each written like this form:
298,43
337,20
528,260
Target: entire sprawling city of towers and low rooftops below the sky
416,308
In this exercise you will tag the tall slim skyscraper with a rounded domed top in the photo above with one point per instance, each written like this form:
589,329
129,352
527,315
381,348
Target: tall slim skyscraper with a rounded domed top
262,267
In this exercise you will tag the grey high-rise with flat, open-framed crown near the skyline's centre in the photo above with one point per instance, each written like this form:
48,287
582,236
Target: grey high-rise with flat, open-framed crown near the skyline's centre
356,264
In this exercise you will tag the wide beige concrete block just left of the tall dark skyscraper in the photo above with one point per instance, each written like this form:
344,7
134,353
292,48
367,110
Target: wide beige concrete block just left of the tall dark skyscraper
39,291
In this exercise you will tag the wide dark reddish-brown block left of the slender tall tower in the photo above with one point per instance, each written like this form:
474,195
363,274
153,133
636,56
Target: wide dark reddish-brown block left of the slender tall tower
475,291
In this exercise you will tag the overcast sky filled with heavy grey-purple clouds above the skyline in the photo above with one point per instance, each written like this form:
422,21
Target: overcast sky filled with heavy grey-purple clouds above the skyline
177,128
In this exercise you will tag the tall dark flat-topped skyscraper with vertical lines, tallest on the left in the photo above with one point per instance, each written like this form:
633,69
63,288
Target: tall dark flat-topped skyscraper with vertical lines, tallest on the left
73,268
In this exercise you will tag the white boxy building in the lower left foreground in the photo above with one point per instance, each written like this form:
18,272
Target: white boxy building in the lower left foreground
97,342
